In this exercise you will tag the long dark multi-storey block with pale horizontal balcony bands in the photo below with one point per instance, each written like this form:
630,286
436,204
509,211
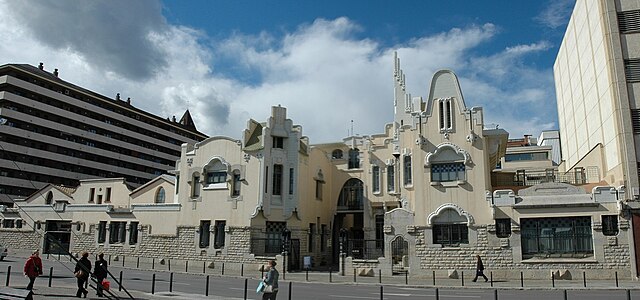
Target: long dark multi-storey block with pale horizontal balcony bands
57,132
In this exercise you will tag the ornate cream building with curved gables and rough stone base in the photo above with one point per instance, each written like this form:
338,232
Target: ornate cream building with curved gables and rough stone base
417,197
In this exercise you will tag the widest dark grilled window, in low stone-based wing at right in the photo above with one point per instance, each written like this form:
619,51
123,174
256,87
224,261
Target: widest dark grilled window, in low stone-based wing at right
557,237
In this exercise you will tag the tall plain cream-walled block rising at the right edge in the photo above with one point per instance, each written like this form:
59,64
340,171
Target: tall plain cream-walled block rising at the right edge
597,75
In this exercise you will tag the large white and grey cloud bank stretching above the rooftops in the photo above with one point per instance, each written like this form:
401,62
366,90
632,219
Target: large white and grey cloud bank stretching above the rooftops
322,71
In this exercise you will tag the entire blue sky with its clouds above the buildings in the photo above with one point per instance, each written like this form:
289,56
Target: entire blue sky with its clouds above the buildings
329,62
